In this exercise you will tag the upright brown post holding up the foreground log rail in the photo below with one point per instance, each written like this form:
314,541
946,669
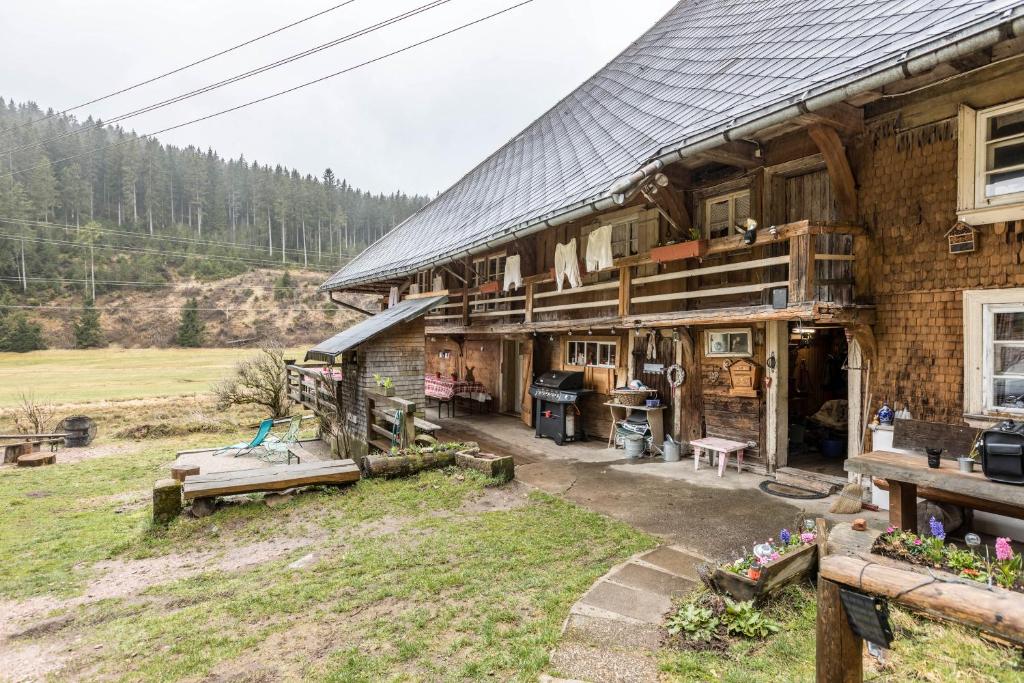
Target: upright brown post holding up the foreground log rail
839,652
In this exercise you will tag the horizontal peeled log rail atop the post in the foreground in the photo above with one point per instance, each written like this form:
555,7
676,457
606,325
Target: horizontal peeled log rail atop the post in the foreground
996,612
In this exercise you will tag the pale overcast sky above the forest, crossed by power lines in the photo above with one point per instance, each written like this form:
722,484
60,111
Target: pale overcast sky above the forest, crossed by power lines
415,122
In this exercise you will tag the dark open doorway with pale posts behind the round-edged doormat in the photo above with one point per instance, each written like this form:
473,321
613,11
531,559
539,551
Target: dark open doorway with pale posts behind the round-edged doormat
818,399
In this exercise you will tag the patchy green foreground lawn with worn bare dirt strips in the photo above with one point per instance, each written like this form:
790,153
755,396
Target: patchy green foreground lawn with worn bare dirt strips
439,577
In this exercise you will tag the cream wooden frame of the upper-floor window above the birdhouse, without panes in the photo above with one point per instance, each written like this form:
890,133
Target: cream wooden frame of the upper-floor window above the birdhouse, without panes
972,205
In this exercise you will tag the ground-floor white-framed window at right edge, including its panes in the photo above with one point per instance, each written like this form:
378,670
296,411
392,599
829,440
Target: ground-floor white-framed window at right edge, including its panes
994,355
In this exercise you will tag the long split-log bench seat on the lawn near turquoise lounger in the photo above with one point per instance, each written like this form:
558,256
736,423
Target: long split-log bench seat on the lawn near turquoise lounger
268,480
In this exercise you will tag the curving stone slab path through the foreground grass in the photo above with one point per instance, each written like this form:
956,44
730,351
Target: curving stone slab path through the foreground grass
614,630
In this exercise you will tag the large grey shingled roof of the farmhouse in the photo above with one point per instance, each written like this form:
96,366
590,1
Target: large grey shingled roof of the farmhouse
705,68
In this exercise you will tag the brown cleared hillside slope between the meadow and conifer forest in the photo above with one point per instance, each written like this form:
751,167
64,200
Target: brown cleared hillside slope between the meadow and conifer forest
248,310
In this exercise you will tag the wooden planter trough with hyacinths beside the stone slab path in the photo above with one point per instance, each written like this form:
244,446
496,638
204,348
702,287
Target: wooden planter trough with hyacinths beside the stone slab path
770,566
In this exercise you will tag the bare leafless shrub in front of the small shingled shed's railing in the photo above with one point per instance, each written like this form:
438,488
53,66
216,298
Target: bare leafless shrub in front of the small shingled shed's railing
258,381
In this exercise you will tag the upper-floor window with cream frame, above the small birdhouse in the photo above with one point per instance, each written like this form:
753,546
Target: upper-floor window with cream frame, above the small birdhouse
991,173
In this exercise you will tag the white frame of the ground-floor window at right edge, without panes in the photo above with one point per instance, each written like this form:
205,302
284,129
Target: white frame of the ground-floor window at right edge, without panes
980,308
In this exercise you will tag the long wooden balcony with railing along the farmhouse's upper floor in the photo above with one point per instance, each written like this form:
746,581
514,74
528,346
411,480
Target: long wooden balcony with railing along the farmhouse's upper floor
801,271
